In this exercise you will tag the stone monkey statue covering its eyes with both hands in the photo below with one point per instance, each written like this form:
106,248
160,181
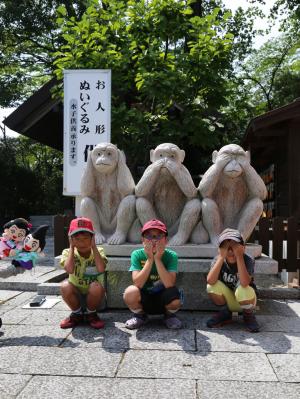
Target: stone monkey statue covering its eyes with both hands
232,193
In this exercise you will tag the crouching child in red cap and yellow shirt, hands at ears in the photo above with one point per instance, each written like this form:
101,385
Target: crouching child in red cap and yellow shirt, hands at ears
85,263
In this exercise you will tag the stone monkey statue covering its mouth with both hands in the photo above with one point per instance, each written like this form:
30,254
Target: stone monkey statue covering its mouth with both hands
166,191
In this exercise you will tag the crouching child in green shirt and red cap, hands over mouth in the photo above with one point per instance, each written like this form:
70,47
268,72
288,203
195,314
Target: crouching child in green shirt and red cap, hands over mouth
154,269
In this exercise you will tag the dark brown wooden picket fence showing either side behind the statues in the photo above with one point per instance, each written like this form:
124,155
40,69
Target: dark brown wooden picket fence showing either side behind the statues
279,237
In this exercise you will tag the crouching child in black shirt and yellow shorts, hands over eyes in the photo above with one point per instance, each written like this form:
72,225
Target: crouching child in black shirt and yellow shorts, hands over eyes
230,282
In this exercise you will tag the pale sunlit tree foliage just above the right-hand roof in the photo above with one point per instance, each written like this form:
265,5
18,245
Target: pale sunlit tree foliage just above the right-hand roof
269,78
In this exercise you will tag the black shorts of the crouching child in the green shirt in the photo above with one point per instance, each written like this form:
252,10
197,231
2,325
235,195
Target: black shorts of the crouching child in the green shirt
156,303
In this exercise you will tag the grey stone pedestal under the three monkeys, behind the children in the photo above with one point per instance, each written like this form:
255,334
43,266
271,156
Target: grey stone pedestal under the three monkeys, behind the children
193,266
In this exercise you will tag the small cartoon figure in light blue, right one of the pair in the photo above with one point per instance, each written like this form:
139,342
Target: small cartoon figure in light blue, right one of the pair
34,243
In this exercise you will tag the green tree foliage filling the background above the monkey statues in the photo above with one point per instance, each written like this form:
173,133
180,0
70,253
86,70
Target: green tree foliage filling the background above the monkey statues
182,70
